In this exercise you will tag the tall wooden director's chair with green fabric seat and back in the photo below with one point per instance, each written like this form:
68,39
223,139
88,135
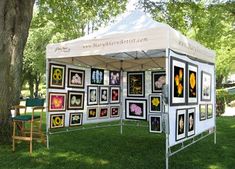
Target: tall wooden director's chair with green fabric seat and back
27,127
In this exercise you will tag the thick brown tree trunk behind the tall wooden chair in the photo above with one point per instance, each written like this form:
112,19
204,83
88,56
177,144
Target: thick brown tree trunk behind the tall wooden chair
15,18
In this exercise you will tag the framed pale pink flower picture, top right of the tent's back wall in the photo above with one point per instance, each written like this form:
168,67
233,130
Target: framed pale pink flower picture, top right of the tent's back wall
158,80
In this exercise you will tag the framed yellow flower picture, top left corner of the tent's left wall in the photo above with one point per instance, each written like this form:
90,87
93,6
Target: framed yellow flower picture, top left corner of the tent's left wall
57,76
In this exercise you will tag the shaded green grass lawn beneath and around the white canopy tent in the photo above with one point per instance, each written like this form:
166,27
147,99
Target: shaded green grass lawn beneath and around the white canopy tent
105,148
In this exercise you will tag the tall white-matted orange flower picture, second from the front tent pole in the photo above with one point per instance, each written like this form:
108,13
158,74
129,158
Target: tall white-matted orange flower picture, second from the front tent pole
192,84
